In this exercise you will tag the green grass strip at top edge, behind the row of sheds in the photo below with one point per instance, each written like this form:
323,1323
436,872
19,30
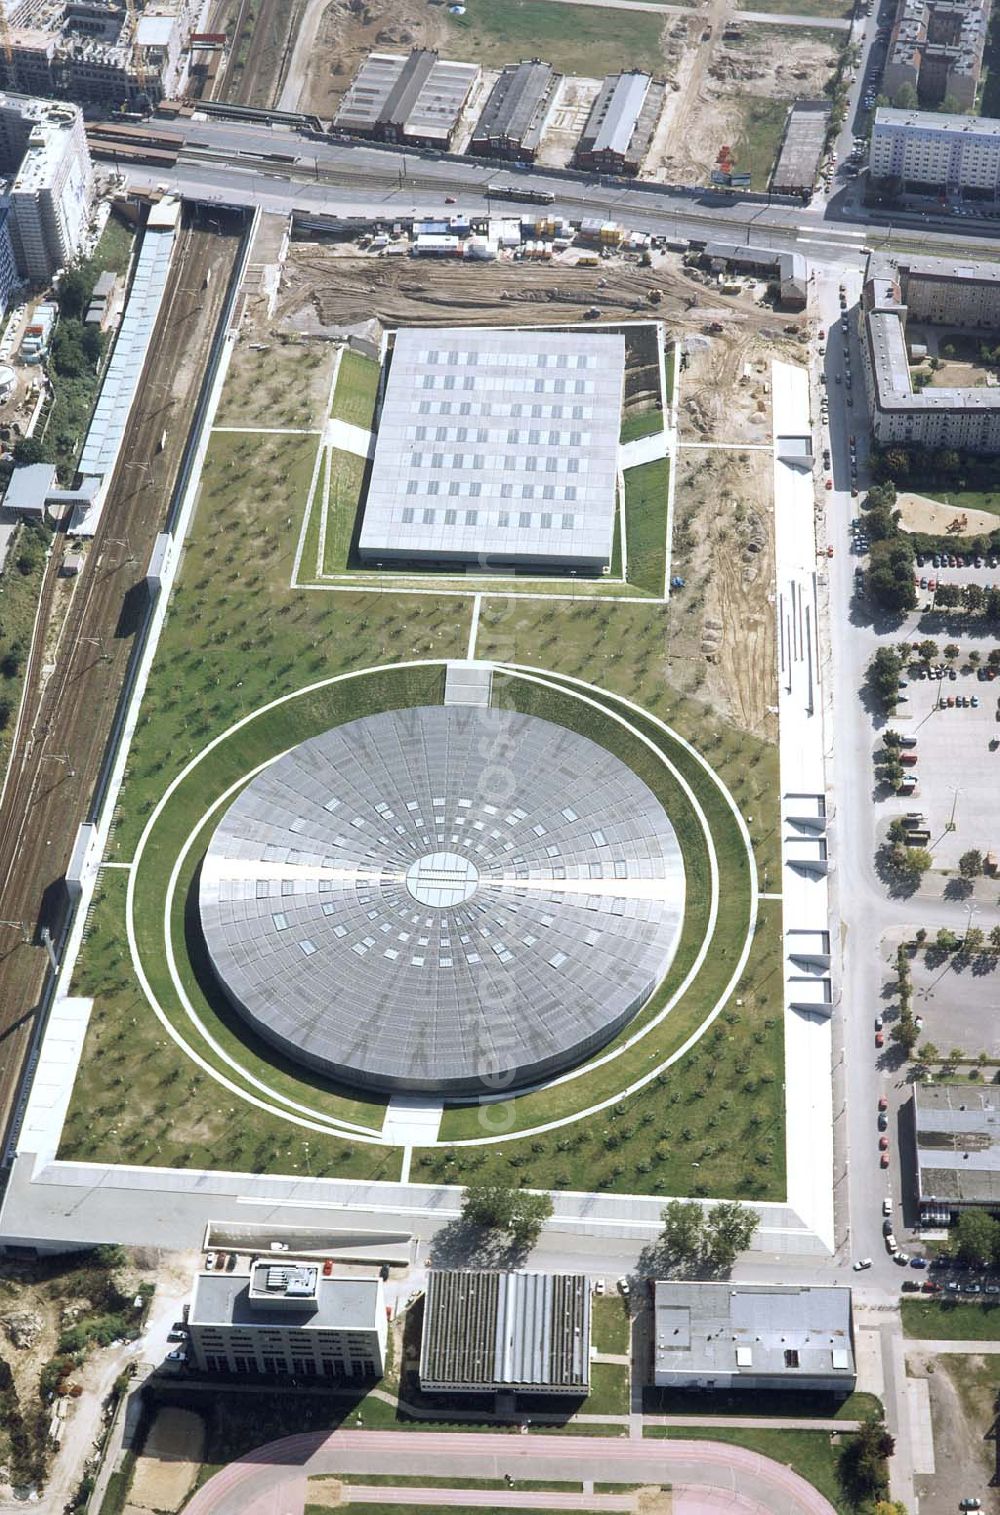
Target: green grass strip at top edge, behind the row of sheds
577,40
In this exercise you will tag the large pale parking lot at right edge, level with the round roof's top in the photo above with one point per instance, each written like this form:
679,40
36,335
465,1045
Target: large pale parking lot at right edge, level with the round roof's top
958,763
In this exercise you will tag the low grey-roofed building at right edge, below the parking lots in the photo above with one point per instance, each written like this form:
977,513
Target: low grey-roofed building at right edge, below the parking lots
958,1148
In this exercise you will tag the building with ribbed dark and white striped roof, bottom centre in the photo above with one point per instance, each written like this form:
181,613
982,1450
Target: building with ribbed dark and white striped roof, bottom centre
507,1332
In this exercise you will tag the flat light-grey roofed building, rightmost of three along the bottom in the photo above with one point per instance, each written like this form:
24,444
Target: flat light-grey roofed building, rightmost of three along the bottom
754,1337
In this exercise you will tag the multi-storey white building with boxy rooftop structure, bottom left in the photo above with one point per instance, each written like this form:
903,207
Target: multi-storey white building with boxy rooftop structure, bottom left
290,1320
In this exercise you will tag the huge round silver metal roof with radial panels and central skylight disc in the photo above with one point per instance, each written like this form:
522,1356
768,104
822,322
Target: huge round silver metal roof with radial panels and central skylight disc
443,901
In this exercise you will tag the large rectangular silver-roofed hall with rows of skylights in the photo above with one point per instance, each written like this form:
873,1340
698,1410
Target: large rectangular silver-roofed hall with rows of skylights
498,448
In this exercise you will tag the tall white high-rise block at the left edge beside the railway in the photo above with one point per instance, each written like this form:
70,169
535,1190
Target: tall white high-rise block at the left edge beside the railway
45,149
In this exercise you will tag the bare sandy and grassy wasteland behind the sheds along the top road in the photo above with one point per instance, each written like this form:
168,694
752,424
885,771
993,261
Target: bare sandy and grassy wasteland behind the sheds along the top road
731,83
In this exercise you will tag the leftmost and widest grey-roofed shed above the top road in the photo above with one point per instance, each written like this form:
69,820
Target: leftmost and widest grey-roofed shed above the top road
416,98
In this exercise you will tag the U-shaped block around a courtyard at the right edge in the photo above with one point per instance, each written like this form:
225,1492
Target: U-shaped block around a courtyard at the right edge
942,293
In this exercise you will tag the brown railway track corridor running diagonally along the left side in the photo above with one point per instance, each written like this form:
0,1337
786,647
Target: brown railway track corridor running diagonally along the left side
70,707
